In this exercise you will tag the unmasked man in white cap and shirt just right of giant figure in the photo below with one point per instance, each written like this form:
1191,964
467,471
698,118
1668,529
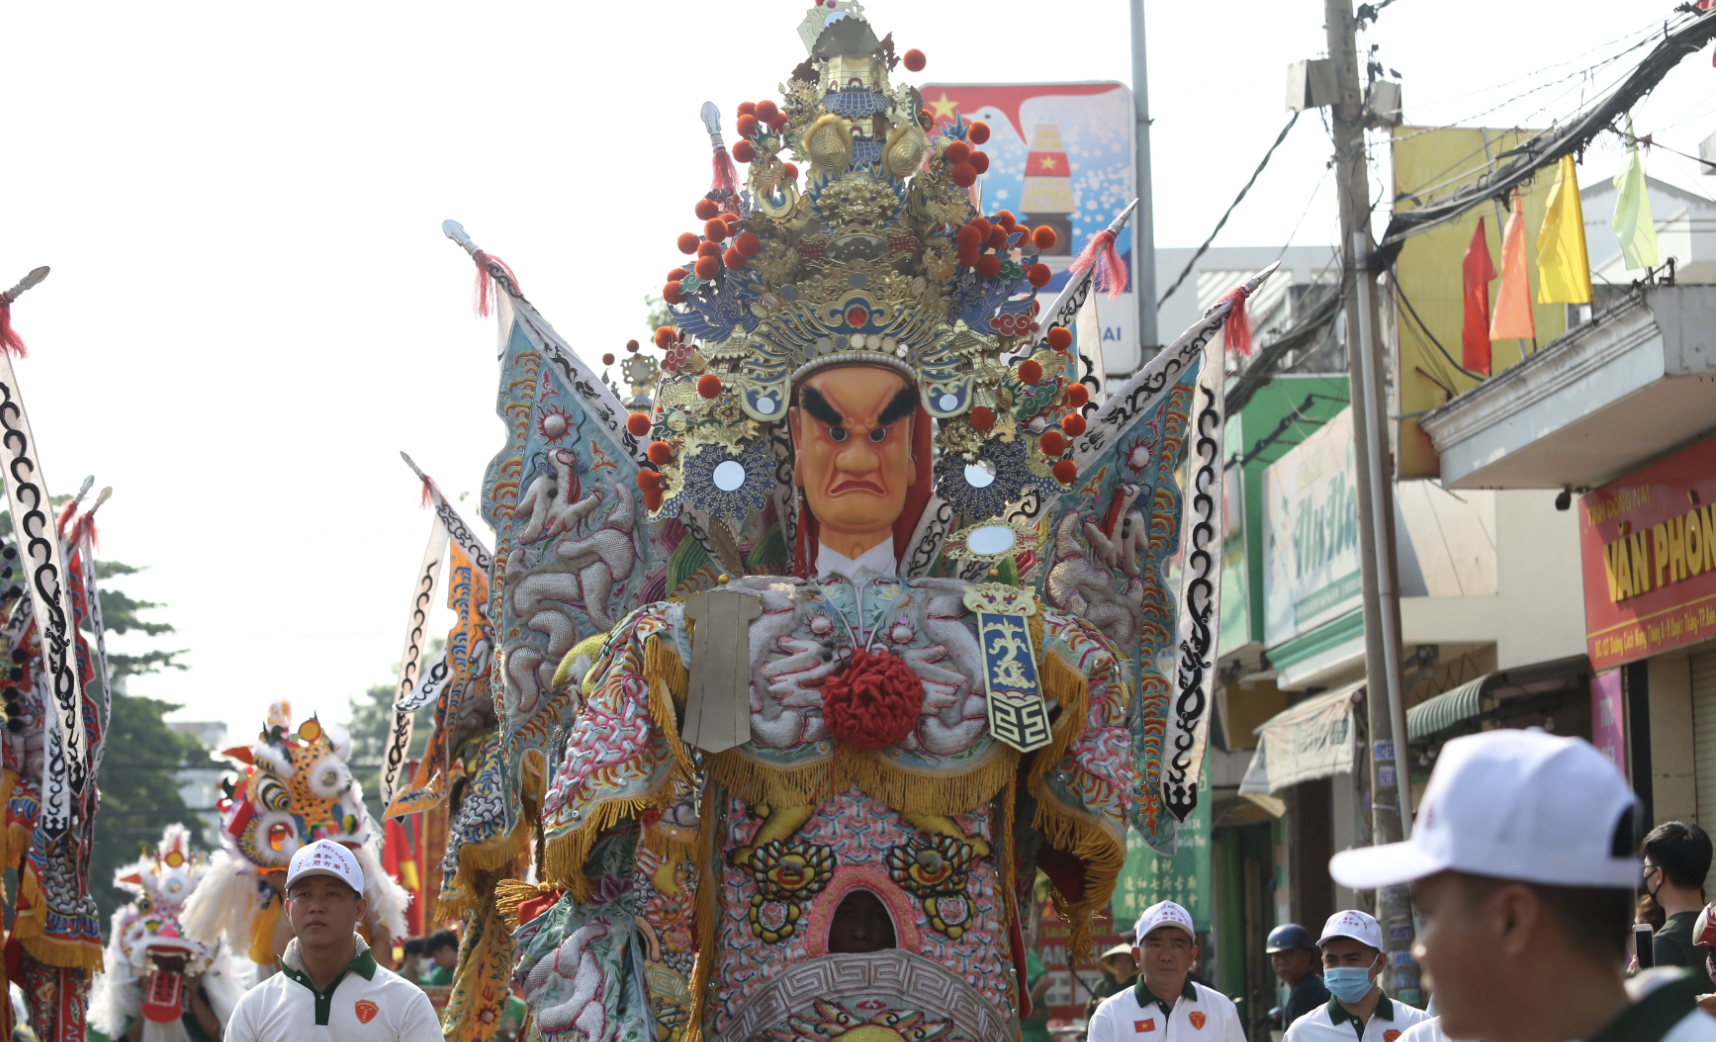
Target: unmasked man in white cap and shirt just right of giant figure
1166,1005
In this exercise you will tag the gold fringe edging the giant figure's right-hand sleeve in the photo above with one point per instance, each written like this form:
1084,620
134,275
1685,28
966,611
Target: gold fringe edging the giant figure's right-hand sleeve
1084,837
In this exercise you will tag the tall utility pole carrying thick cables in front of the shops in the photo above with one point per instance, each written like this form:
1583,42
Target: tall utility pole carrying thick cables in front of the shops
1375,494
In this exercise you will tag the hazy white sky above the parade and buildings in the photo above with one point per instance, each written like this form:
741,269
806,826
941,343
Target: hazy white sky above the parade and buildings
253,308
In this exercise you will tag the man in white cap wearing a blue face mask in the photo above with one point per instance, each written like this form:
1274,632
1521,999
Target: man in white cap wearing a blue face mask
1356,1010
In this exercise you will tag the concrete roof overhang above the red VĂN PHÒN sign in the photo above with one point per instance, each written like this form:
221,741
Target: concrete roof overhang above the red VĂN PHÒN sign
1593,406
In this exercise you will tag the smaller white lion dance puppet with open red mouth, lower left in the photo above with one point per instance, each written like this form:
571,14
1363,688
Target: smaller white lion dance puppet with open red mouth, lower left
183,990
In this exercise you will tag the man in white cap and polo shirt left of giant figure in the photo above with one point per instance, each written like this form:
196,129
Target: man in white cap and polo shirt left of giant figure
330,988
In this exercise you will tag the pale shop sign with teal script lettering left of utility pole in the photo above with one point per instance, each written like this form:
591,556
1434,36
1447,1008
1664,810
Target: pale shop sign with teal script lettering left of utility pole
1312,535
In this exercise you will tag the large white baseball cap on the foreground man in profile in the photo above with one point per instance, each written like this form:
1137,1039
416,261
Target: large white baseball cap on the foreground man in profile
1516,806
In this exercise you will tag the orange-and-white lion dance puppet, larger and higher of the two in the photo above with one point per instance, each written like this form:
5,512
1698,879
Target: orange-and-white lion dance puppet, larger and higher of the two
296,791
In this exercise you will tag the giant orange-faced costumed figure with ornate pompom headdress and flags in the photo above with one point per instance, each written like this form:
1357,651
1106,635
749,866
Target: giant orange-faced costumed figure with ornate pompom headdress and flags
862,619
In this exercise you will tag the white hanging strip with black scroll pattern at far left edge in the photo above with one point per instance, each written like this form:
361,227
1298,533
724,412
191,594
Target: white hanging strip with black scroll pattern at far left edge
66,768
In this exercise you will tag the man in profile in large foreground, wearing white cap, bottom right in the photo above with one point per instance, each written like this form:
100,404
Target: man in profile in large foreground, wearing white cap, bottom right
1523,873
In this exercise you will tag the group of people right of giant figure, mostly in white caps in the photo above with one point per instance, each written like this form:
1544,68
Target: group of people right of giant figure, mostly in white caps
1523,871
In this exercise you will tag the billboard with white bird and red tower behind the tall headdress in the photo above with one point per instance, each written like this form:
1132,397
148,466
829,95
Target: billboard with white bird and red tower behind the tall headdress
1061,155
